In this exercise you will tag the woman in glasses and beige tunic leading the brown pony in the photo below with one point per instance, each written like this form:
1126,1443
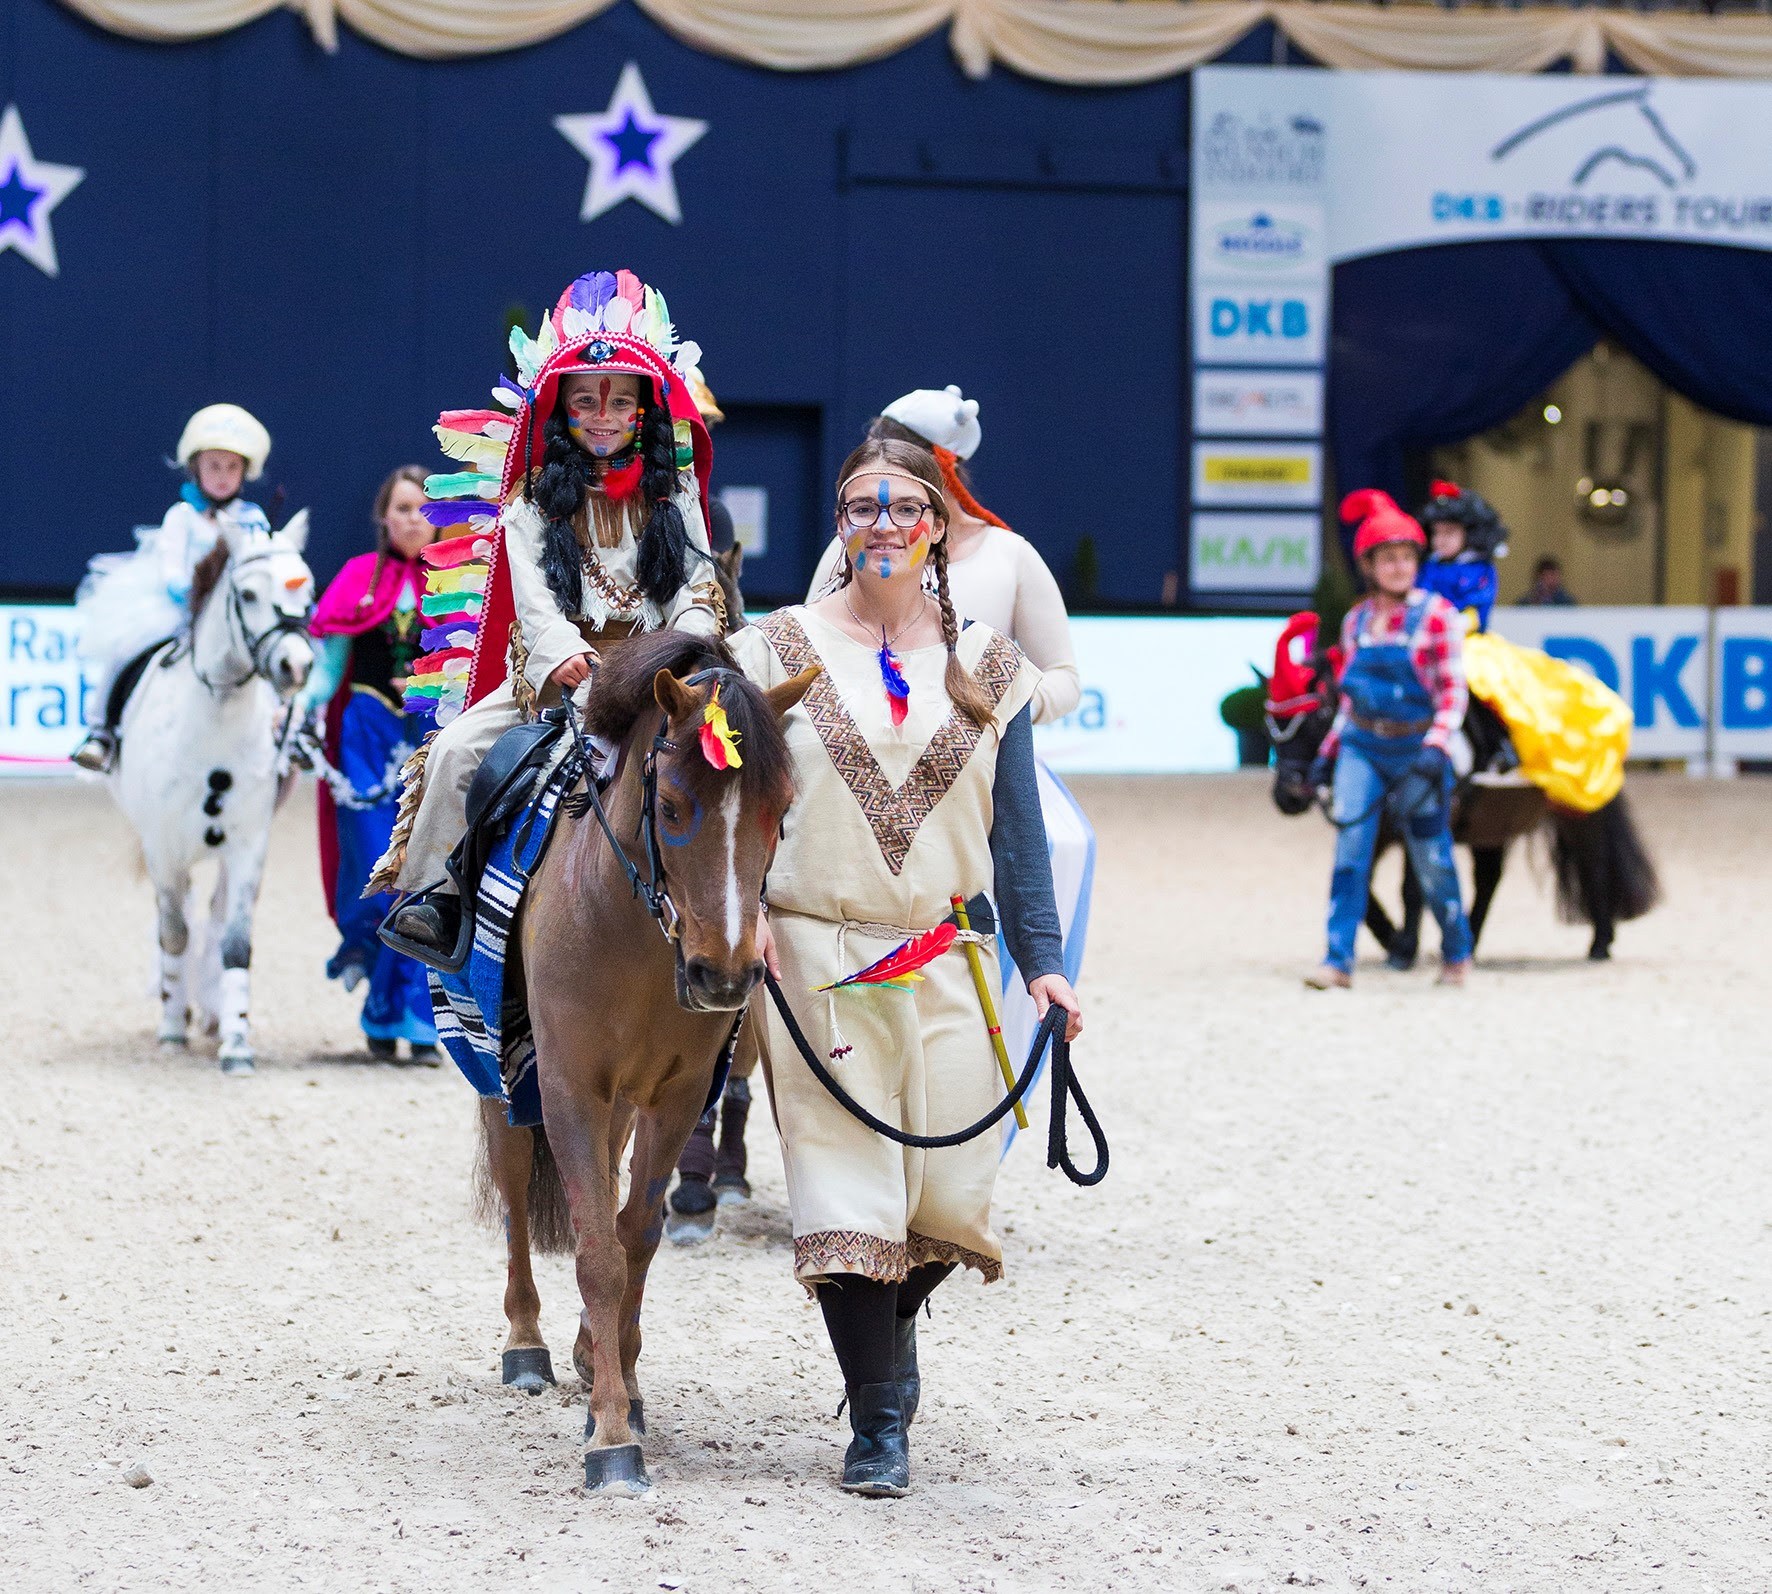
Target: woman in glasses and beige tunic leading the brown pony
913,764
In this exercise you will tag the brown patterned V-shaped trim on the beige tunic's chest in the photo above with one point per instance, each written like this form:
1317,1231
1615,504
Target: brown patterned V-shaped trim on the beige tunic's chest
896,816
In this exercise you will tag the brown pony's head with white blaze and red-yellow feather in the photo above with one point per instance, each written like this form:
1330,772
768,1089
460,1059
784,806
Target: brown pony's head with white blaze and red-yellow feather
724,782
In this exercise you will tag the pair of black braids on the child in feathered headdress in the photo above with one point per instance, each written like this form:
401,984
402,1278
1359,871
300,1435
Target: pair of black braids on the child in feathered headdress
564,484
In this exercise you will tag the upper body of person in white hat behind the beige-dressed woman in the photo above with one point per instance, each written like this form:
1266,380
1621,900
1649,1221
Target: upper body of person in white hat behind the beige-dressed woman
999,578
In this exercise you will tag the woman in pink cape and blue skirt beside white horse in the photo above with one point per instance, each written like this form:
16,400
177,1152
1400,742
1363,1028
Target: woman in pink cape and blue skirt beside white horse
369,630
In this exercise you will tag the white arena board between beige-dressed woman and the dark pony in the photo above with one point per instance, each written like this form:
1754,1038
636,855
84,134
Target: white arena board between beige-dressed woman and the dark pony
1153,692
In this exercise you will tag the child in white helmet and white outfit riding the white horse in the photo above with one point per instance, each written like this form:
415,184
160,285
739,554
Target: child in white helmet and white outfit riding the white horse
132,603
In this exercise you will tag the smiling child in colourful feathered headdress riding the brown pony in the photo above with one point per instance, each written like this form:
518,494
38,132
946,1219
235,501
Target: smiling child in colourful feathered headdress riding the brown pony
600,532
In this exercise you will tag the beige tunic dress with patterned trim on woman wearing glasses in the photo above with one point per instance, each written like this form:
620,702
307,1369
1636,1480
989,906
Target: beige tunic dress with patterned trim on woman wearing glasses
889,824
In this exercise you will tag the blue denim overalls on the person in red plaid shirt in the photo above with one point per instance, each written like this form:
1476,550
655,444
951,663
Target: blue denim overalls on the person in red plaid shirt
1378,773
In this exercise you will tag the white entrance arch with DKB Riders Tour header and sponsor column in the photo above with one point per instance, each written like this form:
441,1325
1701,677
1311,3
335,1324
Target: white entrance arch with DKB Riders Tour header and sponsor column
1298,171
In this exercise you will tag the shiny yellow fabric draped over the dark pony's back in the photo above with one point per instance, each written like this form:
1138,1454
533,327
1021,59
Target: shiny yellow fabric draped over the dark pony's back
1569,731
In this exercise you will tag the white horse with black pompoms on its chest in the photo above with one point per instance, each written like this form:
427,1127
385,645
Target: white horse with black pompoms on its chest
199,771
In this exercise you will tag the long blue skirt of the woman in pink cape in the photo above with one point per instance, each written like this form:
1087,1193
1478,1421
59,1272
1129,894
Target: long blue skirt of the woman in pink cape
400,998
